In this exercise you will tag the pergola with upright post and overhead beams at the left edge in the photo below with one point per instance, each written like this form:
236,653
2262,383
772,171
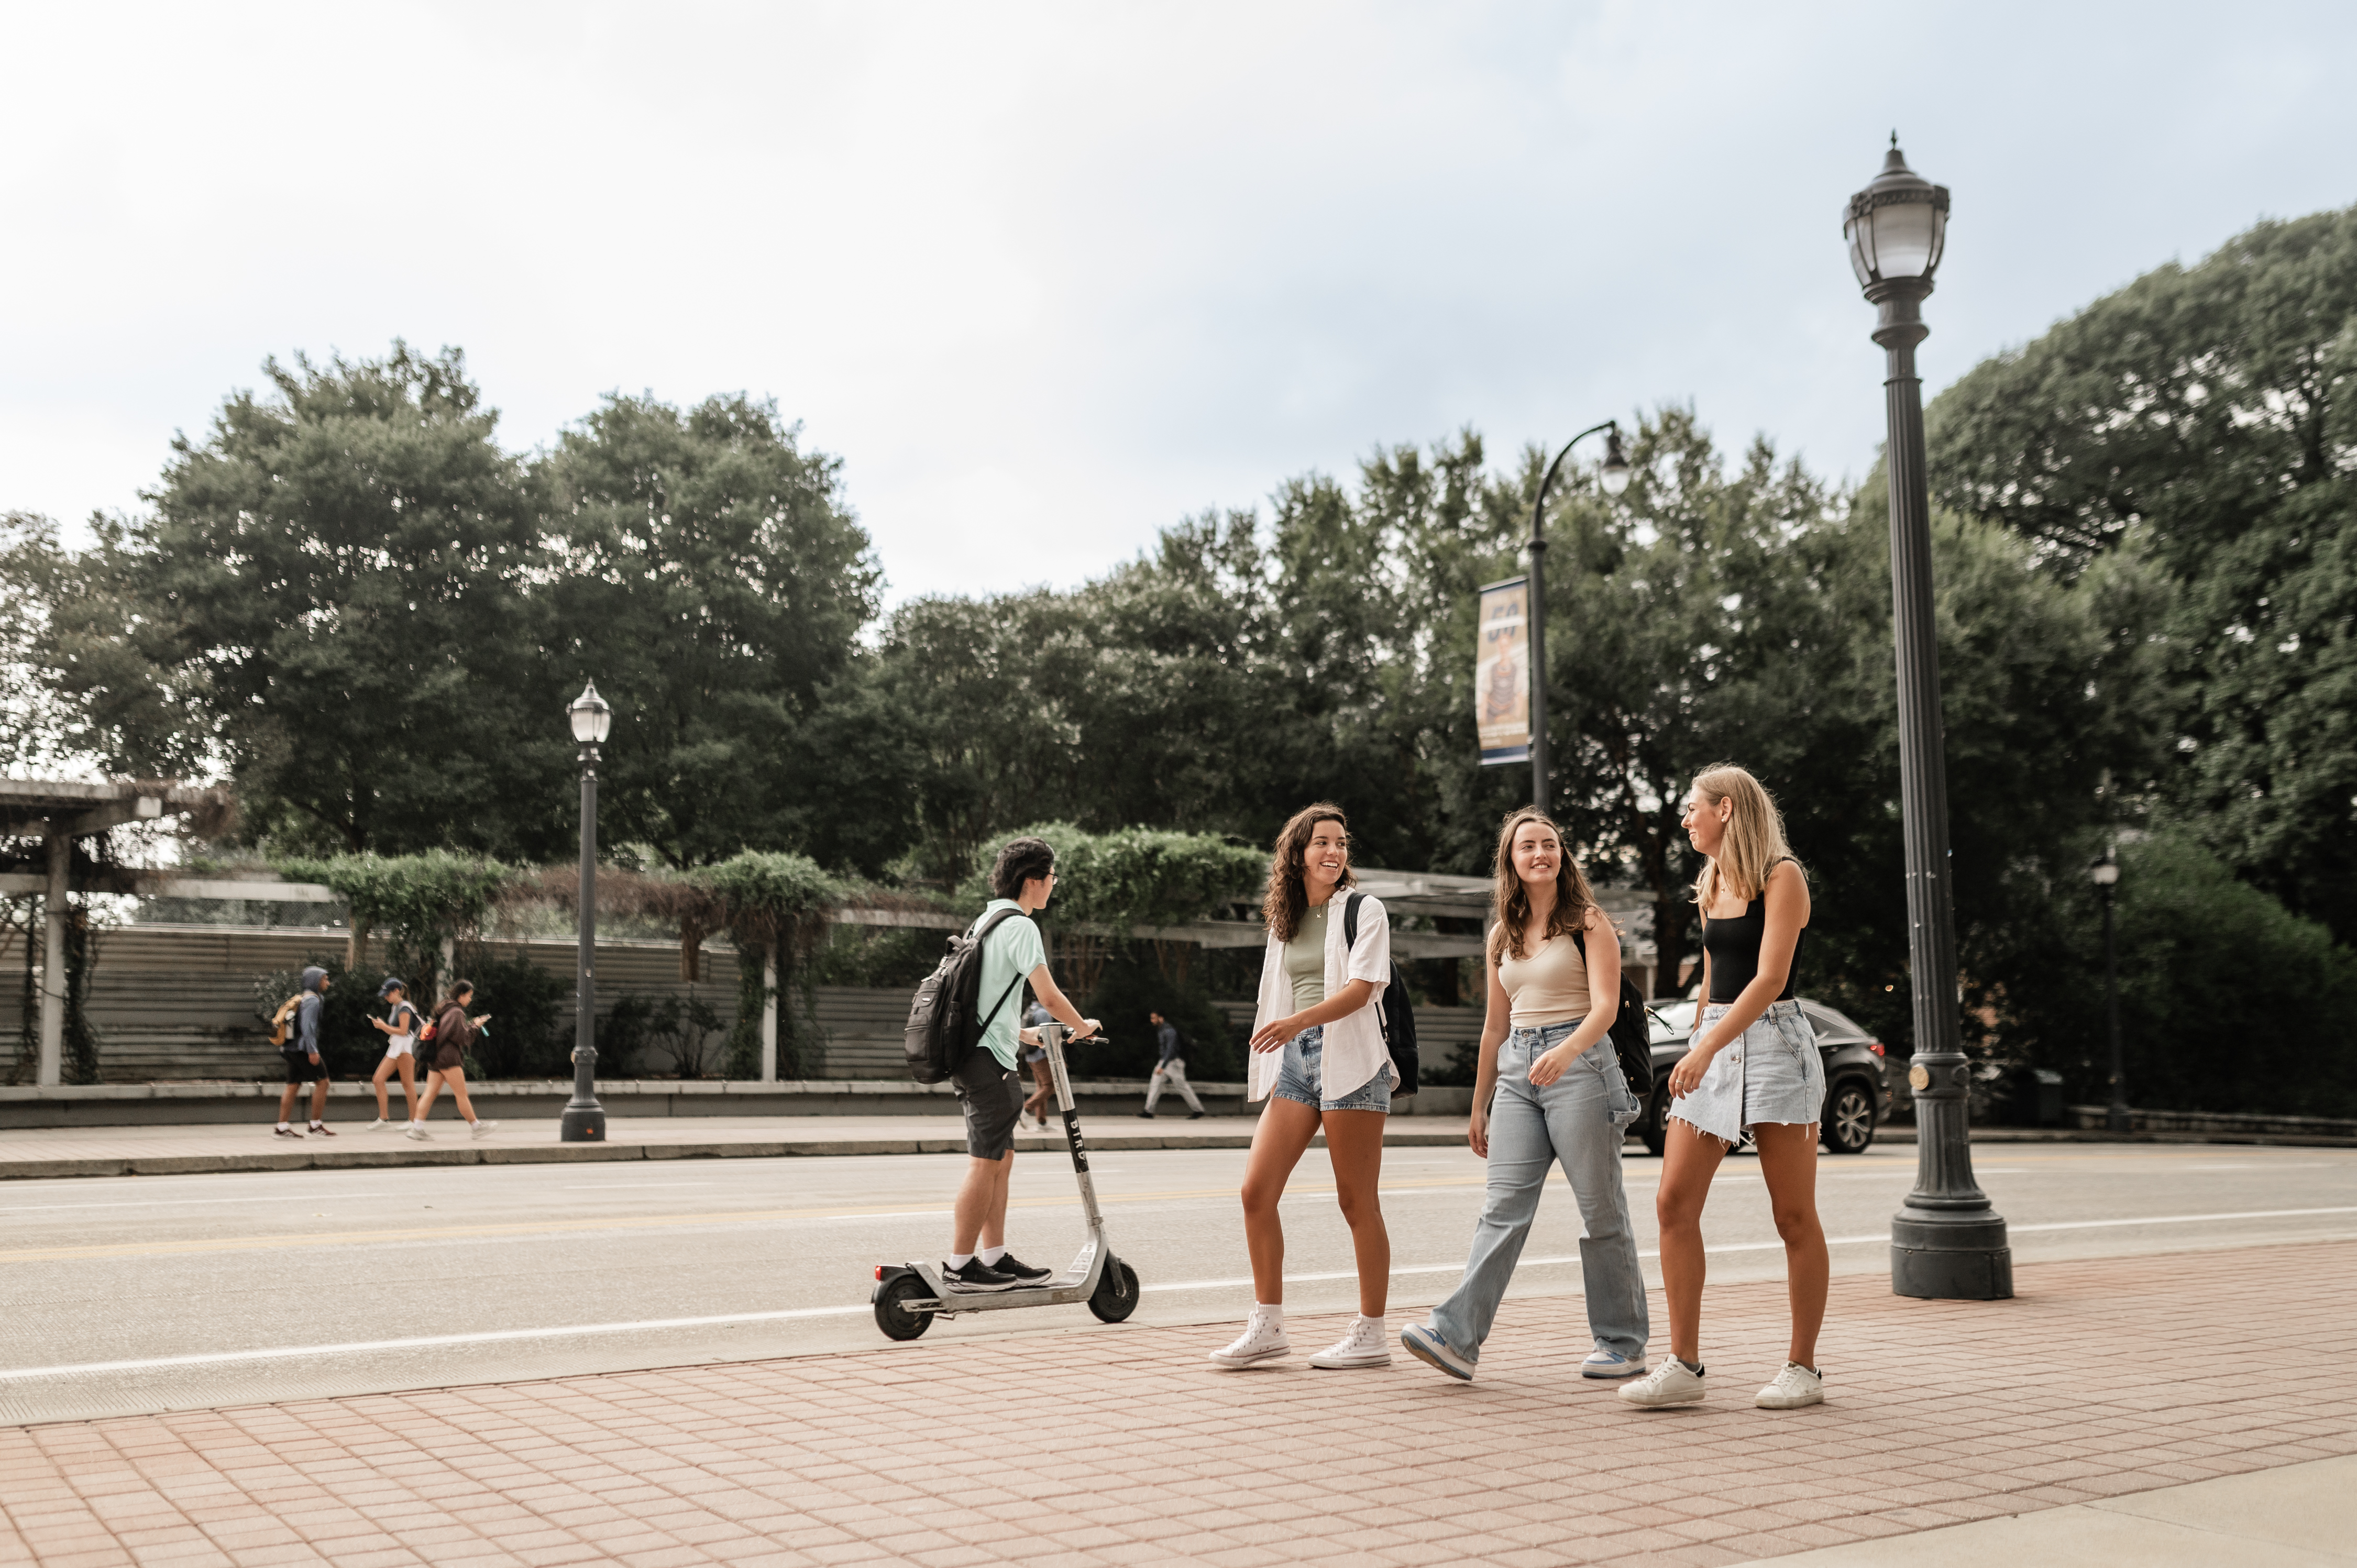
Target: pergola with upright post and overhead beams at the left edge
60,812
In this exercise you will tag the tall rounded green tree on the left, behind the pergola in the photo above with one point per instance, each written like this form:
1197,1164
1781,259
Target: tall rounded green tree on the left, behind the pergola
329,600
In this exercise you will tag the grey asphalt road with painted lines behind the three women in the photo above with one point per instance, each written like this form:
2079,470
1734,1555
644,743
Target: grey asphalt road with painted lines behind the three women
159,1293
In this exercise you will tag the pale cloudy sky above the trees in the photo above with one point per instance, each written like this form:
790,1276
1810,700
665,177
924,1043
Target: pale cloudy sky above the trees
1055,277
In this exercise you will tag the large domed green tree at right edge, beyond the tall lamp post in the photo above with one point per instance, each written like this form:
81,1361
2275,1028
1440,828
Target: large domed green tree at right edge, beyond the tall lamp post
2205,419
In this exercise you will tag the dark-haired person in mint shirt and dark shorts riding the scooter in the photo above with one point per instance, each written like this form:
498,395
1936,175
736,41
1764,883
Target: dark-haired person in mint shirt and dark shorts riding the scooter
1022,881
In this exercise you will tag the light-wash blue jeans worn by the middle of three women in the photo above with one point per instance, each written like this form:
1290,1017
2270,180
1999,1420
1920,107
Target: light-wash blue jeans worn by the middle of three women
1576,1121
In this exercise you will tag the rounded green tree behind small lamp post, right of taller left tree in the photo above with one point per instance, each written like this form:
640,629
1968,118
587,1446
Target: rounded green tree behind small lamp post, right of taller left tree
706,574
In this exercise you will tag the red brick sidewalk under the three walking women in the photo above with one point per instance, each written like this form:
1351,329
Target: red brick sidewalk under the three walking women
1121,1447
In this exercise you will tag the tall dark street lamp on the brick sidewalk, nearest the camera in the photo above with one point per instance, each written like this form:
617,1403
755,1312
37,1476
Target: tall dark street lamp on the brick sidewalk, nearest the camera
1948,1241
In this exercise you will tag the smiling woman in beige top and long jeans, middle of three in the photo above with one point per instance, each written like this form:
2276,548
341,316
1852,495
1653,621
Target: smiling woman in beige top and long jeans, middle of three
1550,1091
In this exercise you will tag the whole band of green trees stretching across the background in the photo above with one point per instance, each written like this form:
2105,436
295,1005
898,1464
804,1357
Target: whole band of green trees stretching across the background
362,610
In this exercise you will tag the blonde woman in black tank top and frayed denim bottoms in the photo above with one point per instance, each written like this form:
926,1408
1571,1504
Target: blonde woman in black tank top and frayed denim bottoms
1750,1072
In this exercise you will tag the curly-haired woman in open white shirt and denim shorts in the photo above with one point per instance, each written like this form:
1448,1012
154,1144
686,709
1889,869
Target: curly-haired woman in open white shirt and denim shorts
1319,1058
